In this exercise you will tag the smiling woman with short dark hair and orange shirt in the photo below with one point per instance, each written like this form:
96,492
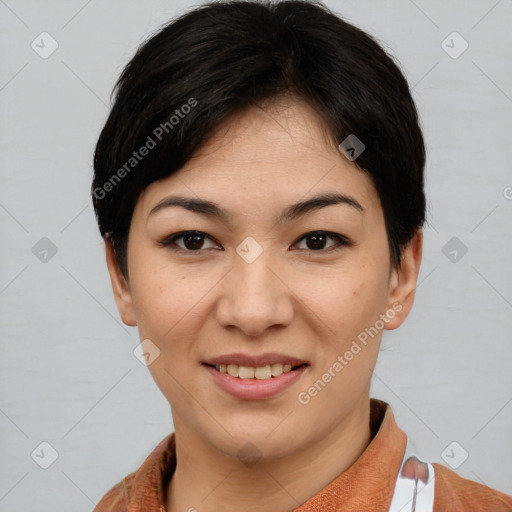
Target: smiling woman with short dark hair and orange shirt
259,186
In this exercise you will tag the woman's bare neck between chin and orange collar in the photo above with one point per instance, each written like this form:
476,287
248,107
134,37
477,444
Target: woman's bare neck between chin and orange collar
207,480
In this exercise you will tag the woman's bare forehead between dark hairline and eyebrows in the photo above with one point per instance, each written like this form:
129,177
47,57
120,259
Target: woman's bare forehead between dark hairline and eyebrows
265,158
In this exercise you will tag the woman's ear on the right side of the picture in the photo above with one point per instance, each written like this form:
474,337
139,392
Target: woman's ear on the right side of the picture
403,282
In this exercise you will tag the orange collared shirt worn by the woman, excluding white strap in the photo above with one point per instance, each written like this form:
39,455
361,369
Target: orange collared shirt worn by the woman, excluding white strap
366,486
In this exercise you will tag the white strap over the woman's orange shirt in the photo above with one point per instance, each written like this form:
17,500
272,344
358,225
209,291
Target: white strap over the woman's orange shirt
415,485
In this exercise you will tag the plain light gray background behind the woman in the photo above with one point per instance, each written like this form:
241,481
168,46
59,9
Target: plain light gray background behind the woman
68,373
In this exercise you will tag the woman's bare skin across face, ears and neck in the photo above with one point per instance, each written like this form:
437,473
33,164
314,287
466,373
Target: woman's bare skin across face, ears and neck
296,298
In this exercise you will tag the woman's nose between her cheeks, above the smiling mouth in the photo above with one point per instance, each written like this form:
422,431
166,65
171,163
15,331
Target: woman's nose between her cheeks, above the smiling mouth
255,297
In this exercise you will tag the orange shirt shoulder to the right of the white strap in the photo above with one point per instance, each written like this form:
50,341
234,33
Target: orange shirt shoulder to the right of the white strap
457,494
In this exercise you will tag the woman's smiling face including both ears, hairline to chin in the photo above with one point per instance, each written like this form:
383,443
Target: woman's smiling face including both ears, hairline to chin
260,282
